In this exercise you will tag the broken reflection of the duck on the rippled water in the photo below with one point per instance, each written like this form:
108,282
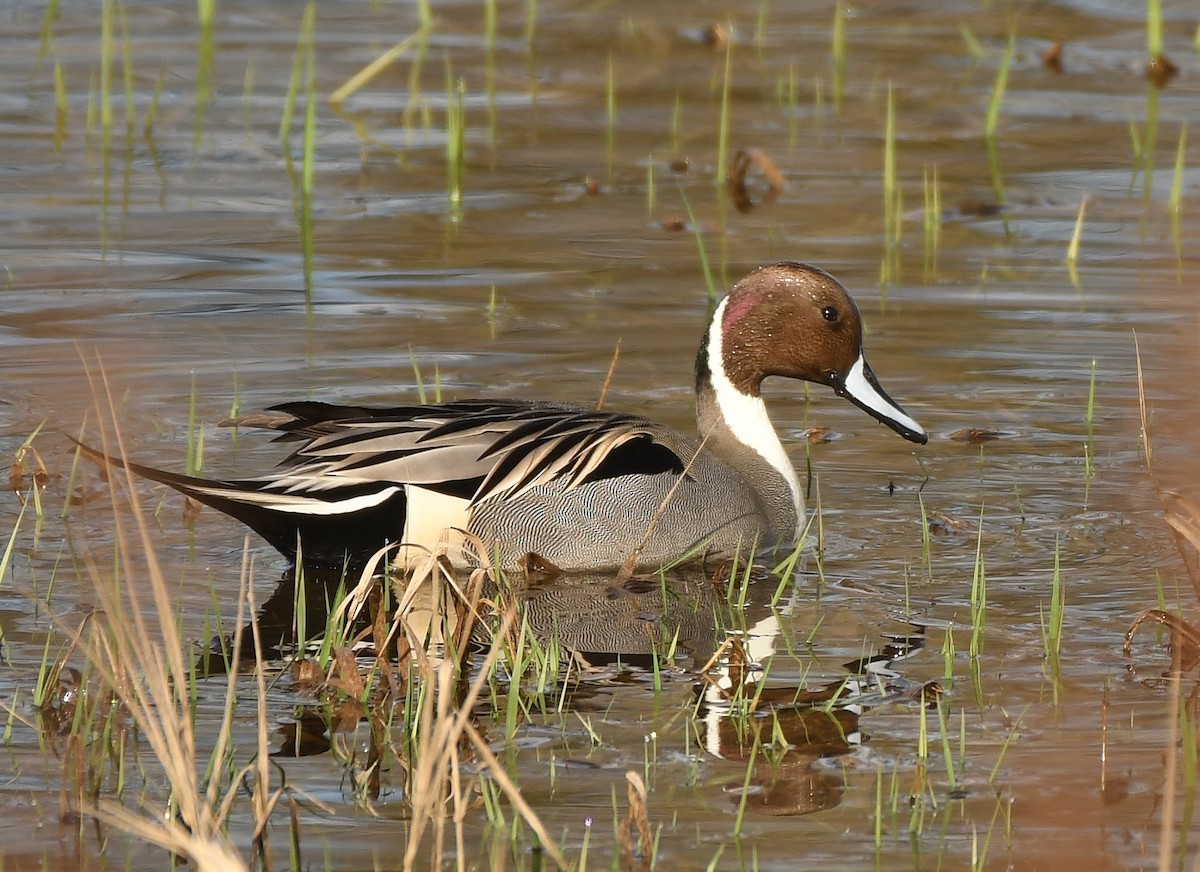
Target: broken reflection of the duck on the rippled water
602,624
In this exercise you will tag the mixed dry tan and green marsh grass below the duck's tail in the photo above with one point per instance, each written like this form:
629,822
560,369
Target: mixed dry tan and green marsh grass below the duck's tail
127,723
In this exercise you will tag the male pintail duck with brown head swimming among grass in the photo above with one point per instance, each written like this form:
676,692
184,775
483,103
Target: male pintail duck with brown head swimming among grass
578,488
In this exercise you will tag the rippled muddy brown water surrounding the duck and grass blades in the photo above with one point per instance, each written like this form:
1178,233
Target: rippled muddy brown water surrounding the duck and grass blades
181,267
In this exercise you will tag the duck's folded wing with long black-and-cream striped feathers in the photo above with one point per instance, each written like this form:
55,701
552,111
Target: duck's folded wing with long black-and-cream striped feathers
478,450
